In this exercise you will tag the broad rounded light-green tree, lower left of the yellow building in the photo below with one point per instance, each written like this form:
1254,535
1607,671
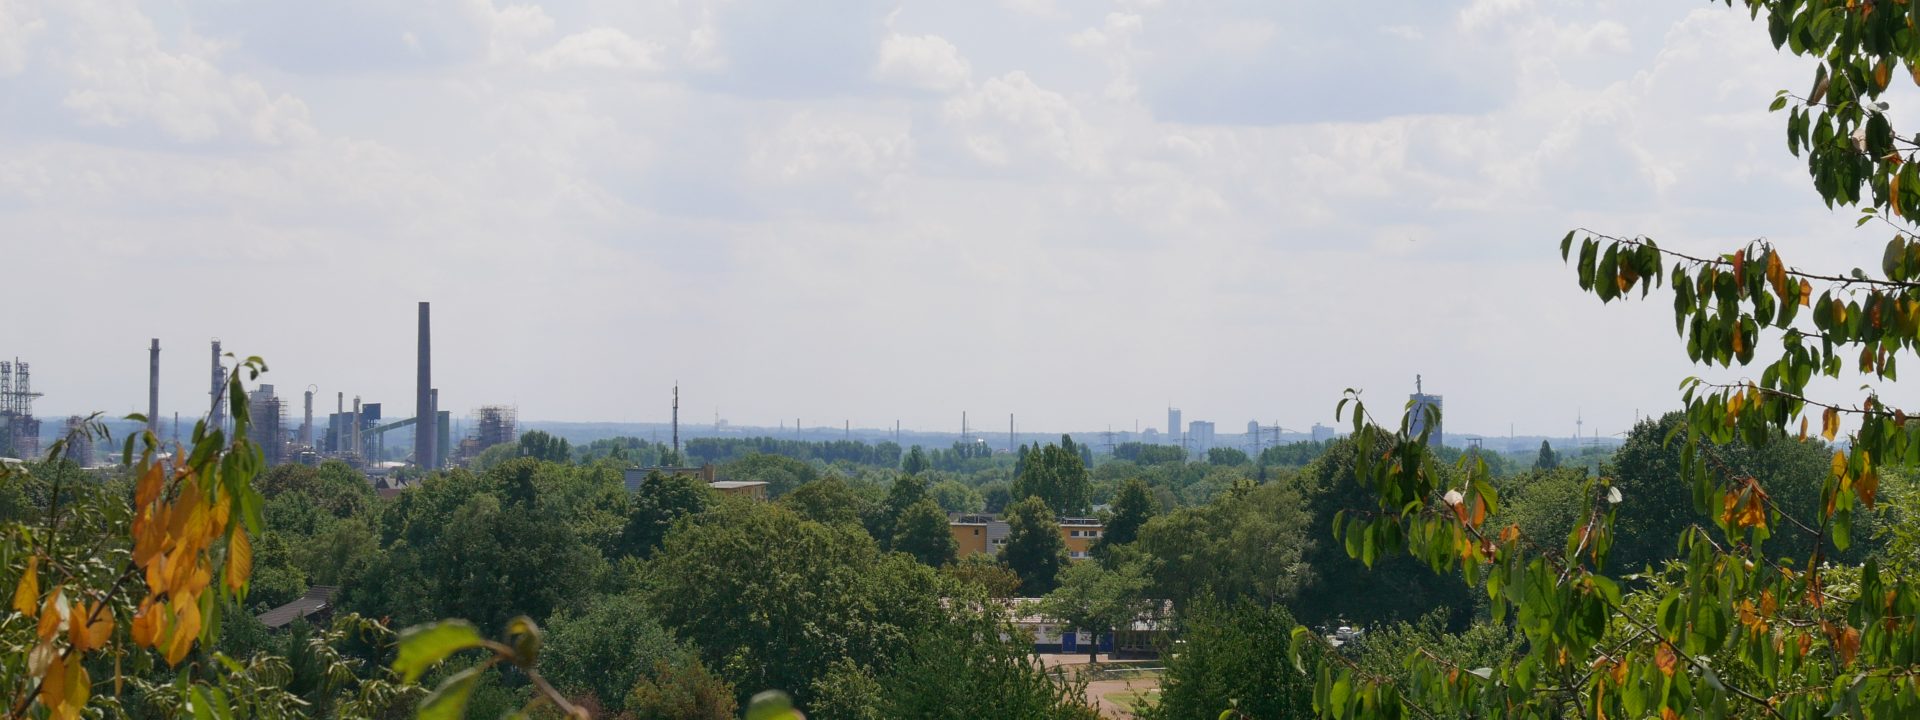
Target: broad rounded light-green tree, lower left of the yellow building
773,600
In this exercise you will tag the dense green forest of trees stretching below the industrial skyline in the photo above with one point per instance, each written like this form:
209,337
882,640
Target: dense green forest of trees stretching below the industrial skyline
846,592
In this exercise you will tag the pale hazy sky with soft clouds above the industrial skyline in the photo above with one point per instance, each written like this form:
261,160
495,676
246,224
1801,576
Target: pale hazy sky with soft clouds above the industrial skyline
1068,210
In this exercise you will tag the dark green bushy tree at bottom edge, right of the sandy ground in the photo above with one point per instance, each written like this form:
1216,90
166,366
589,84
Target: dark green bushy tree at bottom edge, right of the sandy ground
1234,656
